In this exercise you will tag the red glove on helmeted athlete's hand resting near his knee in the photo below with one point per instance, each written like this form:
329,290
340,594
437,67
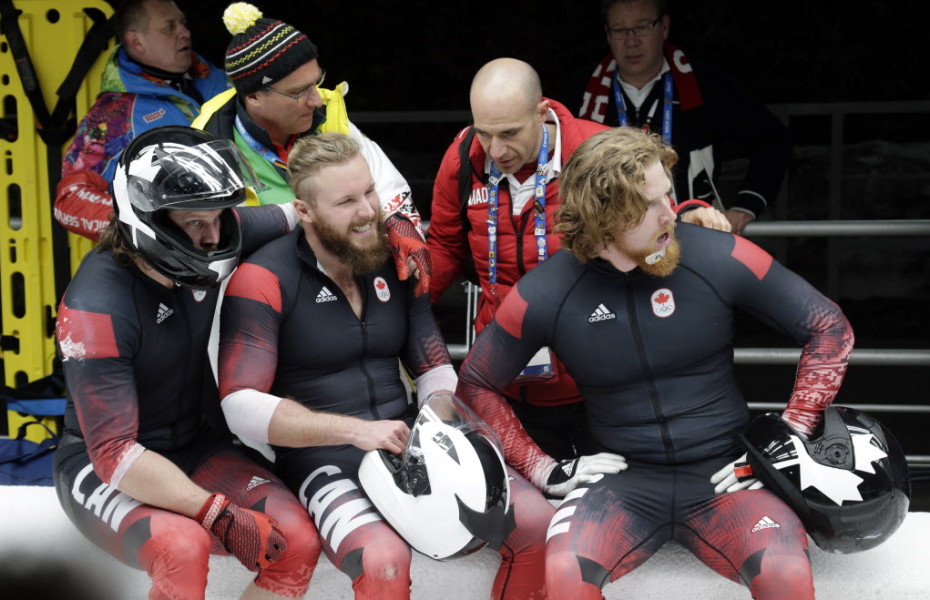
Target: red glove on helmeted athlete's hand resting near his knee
250,536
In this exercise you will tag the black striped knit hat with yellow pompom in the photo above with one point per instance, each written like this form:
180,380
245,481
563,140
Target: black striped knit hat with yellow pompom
262,51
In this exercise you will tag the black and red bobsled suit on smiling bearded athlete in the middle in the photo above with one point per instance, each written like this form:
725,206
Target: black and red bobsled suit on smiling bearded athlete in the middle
288,330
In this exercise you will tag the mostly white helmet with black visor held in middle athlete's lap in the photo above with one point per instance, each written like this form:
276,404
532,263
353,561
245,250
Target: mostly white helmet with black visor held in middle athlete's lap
449,494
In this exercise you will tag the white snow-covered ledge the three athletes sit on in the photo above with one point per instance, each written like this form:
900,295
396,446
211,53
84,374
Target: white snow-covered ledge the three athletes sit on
33,528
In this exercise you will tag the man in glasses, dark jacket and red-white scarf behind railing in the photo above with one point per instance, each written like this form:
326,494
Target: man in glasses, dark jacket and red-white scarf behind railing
645,82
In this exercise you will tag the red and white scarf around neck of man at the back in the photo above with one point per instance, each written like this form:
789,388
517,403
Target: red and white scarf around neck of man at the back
597,92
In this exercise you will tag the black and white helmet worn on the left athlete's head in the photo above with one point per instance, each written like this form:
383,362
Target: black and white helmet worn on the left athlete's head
171,168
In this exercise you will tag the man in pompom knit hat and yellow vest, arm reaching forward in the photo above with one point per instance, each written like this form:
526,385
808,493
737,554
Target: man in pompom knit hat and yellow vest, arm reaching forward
277,99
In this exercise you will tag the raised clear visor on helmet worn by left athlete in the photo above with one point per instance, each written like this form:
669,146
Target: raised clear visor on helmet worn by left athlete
207,176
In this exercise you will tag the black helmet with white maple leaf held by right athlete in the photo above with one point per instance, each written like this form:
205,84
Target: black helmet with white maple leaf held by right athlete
848,483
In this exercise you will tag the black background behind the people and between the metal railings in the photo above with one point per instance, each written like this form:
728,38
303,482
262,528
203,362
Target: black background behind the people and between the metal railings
421,55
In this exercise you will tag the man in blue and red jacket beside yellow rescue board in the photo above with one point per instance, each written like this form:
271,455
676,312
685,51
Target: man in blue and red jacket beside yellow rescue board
152,78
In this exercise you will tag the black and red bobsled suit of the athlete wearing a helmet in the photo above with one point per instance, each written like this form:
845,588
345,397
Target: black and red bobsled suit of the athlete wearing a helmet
134,355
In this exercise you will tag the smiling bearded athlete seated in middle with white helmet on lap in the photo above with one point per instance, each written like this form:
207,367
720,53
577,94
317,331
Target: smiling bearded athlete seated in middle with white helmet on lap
303,324
